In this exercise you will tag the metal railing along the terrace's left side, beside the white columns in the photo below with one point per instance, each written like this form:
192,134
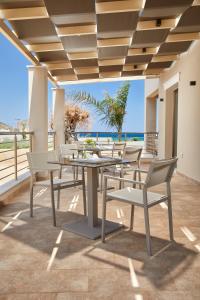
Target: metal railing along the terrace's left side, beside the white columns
13,149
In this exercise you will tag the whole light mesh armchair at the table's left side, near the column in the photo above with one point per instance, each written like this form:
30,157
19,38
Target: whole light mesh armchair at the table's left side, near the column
39,162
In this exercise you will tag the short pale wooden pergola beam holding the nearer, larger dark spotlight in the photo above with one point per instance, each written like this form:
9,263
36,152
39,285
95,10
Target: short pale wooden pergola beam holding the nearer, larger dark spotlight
149,25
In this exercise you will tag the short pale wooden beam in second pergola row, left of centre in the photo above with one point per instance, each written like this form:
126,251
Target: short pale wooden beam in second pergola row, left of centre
77,30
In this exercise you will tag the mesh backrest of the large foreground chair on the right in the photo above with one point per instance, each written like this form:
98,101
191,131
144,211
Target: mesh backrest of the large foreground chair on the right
160,171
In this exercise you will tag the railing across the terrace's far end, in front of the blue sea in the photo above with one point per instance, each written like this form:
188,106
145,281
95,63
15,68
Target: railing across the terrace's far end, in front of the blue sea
148,140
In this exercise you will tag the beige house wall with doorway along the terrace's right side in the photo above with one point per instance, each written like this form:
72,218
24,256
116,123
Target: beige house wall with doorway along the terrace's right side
185,70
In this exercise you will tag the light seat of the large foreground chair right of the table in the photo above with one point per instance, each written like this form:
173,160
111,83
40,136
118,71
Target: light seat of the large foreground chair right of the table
135,196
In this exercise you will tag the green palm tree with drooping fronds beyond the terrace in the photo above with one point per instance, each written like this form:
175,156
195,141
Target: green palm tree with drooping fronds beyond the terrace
111,109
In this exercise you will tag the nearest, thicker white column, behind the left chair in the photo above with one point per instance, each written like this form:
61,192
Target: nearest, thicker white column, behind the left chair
38,106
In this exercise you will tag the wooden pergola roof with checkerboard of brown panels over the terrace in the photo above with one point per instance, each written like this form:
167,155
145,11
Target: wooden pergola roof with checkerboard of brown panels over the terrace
81,41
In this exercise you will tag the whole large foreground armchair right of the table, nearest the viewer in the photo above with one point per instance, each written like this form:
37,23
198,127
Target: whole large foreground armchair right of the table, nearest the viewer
160,171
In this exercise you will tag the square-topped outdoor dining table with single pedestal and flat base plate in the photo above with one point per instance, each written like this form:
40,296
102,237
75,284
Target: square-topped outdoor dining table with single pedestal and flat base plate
90,226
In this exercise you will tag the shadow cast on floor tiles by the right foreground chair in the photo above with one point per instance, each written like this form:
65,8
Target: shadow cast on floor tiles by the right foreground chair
169,261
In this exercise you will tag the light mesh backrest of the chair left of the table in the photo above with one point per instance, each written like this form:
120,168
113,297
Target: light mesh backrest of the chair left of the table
38,161
